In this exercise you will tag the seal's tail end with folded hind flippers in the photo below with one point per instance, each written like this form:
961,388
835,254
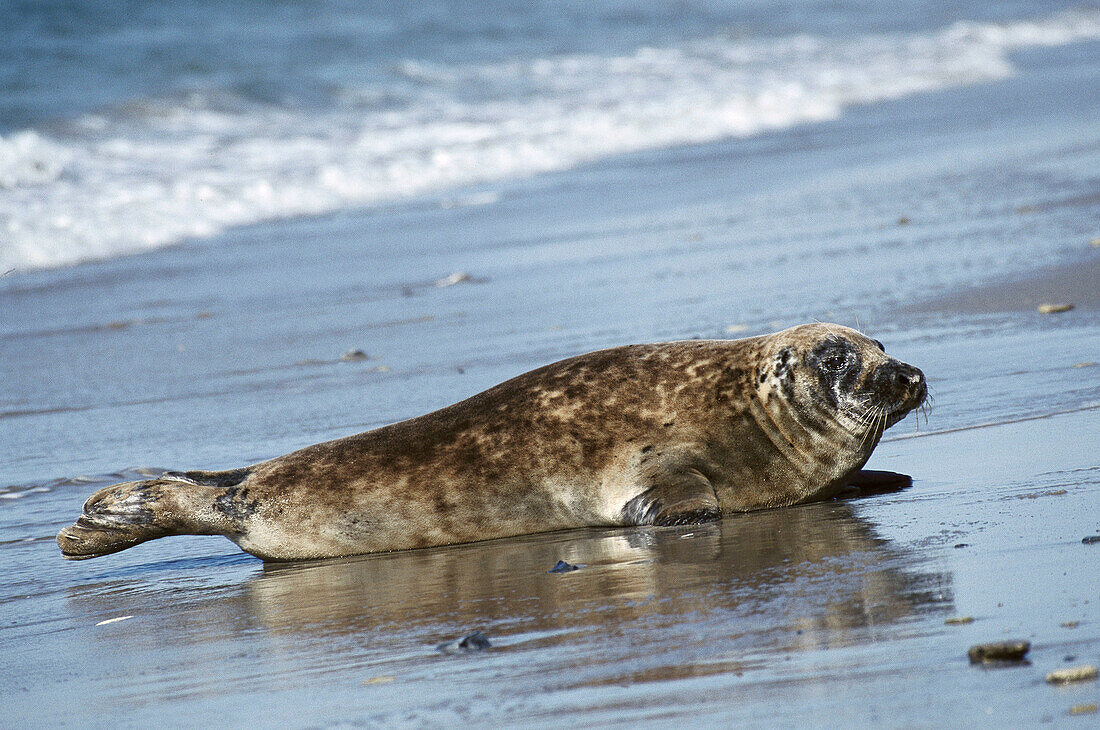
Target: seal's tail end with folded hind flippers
123,516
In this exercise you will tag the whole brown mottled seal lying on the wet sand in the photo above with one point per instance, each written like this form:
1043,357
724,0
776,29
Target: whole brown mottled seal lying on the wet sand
644,435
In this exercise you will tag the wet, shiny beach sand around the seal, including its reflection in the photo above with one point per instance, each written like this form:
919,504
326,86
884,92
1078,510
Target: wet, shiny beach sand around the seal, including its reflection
938,224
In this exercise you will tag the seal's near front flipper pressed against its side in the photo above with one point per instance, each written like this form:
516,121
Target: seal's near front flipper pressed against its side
676,497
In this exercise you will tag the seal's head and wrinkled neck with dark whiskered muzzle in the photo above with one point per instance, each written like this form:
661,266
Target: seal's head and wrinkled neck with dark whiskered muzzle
830,393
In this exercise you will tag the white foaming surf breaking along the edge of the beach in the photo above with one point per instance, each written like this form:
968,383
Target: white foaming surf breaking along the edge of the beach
158,173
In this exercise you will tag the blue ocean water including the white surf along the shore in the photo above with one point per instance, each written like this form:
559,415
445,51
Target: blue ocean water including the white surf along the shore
124,128
